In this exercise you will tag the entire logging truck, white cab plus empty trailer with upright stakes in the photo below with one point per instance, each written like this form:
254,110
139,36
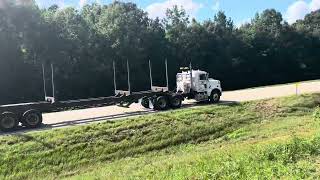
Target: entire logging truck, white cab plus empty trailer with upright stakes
190,84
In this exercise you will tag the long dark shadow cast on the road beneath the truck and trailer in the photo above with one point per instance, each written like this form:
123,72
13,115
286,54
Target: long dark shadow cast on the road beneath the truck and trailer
110,118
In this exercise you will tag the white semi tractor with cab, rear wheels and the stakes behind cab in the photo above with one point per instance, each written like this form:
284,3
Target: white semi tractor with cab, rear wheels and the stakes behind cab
190,84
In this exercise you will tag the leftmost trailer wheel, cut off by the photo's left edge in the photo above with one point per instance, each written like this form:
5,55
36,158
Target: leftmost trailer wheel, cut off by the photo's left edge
8,121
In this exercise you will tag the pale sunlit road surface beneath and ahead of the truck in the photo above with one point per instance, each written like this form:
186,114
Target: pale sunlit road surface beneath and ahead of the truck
84,116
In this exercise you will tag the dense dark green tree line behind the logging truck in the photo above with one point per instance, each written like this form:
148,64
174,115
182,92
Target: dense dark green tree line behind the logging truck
83,43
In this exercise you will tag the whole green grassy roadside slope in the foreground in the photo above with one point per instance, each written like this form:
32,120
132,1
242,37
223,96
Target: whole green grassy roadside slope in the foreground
276,138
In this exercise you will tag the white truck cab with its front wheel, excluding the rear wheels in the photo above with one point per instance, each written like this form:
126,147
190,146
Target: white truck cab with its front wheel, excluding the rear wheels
196,84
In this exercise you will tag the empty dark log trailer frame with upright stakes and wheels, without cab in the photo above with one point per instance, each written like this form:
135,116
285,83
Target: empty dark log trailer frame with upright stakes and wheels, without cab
30,114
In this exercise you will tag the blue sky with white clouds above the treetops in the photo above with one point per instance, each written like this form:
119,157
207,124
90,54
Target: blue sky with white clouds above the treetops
240,11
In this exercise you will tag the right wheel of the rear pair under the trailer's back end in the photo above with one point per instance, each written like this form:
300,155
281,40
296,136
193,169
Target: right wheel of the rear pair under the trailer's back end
31,119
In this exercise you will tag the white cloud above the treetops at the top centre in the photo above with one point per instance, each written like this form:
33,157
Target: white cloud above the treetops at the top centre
159,9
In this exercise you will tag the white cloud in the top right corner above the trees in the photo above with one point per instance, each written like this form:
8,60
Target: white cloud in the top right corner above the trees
299,9
